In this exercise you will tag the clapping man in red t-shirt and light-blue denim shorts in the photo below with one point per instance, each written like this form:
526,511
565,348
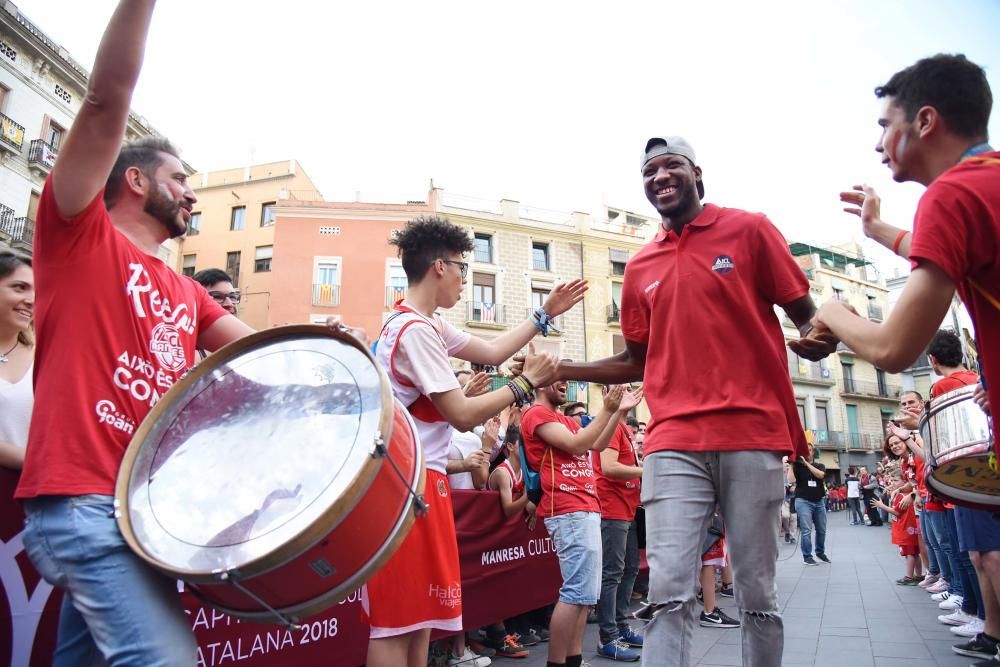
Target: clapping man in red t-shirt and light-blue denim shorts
559,450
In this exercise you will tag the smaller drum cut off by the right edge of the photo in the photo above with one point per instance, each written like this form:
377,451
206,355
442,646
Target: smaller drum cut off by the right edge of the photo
959,443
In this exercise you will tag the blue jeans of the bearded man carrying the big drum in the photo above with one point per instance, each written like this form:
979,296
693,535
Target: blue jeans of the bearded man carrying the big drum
115,605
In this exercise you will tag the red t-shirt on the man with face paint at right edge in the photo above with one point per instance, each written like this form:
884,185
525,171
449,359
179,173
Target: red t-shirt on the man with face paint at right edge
957,228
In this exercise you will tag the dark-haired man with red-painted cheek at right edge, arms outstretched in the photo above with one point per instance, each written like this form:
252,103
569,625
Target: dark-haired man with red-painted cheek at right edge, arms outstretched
934,120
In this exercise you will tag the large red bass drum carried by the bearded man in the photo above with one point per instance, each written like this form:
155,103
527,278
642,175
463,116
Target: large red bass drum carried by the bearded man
276,477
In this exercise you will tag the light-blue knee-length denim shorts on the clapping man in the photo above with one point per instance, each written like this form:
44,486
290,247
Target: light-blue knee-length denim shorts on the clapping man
577,538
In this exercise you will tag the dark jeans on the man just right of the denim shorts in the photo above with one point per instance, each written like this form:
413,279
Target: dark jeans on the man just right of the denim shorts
621,565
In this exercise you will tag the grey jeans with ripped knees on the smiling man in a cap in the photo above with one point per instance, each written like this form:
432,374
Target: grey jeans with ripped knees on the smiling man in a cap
680,491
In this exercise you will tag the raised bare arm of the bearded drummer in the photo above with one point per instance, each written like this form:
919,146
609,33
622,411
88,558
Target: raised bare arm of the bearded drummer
95,139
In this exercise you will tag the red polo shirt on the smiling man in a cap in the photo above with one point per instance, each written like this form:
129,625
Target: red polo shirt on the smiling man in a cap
716,376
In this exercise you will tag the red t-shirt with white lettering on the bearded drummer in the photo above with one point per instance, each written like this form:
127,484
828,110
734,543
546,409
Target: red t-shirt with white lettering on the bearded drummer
115,329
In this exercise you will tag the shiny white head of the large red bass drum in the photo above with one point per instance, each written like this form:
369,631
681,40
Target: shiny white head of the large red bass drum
255,455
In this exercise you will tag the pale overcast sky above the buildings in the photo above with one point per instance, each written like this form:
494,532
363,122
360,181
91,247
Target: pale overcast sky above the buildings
548,103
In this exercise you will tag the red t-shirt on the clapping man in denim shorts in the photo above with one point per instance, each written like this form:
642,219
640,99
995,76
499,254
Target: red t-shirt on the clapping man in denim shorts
568,482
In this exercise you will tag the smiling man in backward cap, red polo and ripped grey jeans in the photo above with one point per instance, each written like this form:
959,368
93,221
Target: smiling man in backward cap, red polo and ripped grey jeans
699,324
